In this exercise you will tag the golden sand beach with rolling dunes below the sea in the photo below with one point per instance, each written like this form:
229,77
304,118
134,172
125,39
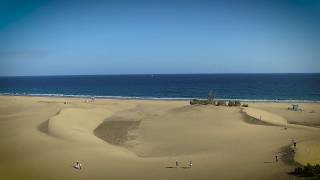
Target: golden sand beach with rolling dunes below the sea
43,137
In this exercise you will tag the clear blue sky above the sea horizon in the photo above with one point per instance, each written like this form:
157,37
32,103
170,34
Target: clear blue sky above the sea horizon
153,37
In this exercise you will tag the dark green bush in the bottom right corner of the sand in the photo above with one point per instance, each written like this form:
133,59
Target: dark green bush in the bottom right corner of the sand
312,171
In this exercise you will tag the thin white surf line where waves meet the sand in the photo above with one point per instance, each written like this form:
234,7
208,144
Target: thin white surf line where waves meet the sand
158,98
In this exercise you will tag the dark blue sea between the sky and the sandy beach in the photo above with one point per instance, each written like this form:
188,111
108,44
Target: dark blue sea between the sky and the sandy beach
258,87
